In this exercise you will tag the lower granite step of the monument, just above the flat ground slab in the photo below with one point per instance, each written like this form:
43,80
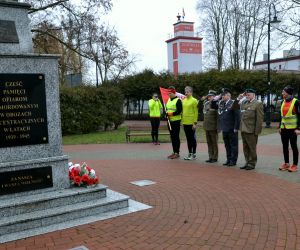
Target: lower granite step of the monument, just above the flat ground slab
61,214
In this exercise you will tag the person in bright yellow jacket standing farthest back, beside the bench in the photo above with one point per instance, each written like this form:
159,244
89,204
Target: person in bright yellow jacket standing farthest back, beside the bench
155,108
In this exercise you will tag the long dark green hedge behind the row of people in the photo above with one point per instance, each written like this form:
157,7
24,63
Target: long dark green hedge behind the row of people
142,85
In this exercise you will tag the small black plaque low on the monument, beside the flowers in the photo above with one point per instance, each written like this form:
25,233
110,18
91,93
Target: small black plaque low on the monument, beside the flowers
25,180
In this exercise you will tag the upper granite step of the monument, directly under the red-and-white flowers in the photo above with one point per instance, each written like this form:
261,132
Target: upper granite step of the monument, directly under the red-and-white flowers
51,199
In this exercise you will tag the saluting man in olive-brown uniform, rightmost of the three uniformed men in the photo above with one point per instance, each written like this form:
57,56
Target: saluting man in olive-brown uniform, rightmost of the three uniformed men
252,116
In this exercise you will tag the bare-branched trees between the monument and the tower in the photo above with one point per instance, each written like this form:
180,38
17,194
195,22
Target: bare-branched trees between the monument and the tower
83,36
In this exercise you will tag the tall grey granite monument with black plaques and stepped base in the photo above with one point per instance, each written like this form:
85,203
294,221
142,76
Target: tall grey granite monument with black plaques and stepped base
34,183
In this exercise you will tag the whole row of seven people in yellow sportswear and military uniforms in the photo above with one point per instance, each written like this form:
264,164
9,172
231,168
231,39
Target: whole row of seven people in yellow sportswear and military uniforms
228,116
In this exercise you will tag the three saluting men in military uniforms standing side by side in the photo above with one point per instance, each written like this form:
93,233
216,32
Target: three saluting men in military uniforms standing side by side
224,115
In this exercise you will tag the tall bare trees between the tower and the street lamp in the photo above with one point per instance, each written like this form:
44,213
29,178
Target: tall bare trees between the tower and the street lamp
235,30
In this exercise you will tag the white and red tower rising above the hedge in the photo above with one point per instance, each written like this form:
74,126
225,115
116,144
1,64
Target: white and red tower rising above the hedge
184,49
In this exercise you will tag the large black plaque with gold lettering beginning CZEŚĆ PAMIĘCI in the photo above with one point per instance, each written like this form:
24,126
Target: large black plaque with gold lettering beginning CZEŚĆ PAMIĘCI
23,114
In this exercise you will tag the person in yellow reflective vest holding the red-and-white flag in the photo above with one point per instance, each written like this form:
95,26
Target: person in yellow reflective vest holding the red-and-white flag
174,110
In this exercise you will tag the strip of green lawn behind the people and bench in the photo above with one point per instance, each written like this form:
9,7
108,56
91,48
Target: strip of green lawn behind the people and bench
118,136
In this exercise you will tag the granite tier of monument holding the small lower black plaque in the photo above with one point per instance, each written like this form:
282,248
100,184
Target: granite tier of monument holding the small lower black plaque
34,176
